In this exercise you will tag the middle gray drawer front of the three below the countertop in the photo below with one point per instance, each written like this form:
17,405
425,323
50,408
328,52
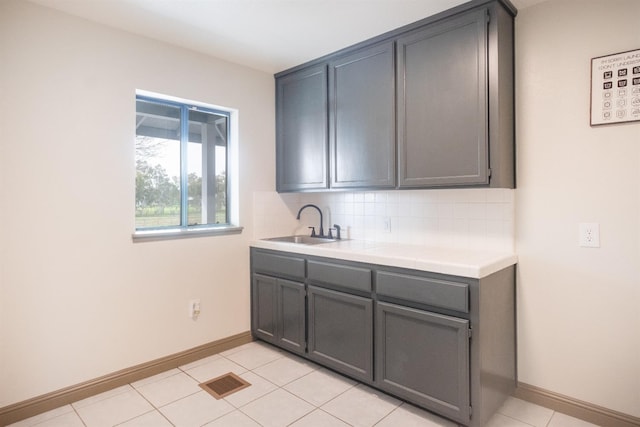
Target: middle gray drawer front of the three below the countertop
342,276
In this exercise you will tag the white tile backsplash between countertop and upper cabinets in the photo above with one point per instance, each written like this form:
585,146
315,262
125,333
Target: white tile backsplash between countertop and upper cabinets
460,218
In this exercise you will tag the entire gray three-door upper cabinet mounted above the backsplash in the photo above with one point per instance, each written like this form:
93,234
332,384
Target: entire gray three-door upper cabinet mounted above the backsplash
428,105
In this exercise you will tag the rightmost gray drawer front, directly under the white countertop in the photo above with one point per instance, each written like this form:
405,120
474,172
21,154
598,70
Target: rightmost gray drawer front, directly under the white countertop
424,290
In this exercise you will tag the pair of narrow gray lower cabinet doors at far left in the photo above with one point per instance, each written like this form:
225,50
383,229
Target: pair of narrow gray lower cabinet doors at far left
278,312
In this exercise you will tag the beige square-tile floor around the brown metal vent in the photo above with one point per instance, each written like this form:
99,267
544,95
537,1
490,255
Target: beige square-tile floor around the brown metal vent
285,391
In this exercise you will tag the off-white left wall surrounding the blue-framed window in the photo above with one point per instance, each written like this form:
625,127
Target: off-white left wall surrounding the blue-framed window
78,299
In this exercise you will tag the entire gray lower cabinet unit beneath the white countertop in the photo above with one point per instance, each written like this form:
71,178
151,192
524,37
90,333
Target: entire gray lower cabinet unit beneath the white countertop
445,343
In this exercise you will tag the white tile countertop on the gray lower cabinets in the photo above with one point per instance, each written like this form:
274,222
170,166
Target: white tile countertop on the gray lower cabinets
475,264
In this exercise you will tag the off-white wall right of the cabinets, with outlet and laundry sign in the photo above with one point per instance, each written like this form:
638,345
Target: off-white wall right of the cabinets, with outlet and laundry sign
578,308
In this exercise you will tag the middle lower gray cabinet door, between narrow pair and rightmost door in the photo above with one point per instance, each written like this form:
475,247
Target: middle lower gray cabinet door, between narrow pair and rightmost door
341,332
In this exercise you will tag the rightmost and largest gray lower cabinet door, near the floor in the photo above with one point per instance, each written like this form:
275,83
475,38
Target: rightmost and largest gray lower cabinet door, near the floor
424,357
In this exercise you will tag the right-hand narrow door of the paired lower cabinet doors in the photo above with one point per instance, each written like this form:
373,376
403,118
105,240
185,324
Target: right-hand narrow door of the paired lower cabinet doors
291,316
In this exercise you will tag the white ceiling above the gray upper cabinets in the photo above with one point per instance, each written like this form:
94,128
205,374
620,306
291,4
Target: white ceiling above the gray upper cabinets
268,35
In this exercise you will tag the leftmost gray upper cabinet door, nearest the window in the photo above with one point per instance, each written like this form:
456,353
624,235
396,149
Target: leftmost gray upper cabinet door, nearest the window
301,130
